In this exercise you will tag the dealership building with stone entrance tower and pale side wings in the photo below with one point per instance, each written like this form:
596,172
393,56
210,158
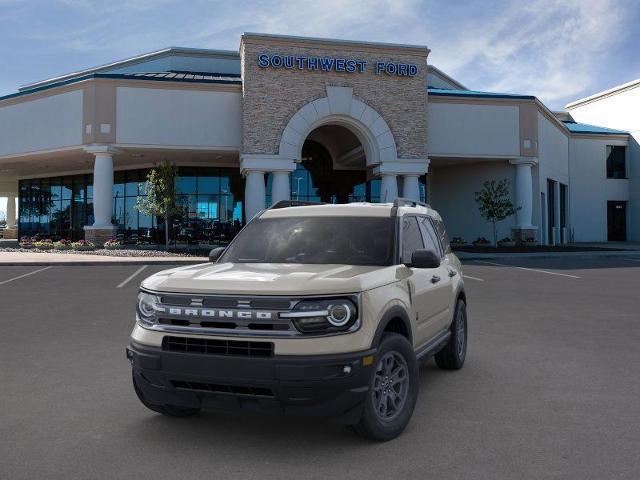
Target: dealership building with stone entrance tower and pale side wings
310,119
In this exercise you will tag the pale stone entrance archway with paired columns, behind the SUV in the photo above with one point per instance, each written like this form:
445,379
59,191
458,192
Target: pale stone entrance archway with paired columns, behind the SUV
337,149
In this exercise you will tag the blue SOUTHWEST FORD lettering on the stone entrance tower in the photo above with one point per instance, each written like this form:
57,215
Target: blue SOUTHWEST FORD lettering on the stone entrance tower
334,64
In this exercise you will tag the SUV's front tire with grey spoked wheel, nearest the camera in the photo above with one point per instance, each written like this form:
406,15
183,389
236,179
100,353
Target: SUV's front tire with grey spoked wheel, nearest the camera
385,415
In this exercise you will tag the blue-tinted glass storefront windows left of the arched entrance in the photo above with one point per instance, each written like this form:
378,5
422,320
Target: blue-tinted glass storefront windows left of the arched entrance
60,207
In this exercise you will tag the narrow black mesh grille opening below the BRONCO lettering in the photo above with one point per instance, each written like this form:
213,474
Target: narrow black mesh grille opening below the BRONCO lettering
218,347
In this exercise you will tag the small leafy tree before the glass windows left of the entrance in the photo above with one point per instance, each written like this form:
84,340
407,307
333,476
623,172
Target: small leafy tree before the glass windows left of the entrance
161,199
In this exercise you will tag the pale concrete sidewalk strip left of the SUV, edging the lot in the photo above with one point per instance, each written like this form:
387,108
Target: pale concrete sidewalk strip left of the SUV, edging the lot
38,259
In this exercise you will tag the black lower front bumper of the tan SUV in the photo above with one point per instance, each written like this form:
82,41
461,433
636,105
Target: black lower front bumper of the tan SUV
315,385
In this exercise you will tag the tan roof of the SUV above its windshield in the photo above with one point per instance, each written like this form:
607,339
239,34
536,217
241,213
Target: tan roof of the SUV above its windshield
356,209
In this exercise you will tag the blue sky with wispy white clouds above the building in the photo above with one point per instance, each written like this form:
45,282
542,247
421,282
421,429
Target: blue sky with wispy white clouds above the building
556,50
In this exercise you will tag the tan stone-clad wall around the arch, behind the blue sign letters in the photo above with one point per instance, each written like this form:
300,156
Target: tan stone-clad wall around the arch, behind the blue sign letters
272,96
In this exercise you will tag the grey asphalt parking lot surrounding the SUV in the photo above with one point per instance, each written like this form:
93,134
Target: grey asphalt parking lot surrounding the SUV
551,388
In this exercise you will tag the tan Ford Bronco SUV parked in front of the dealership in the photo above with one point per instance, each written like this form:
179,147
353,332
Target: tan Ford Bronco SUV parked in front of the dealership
313,309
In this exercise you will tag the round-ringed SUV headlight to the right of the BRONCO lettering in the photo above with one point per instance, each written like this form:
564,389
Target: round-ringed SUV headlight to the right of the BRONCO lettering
323,315
